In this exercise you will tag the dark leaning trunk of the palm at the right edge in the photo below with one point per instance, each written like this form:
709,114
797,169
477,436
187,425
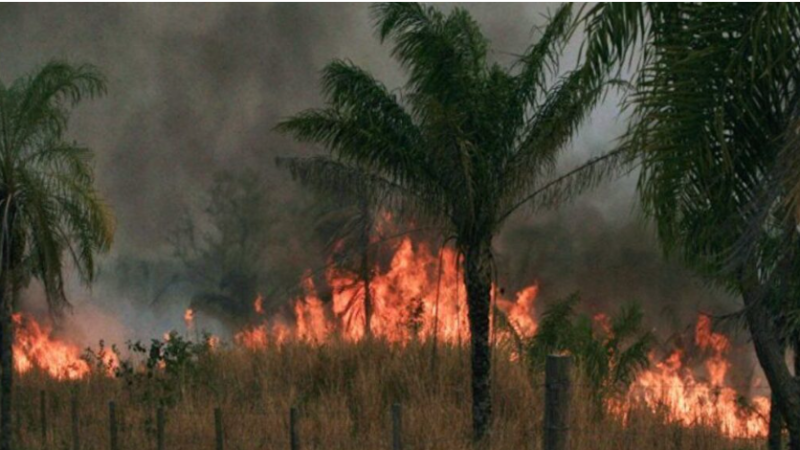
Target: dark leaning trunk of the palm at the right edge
771,358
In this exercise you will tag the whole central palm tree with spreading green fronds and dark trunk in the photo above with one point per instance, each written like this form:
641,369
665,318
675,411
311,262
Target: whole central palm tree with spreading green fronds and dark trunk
465,143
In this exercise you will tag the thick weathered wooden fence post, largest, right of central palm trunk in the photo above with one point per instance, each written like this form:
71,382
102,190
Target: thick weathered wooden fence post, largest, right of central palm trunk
556,402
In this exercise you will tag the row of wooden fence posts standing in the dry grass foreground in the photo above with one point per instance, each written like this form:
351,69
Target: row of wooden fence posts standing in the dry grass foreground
555,429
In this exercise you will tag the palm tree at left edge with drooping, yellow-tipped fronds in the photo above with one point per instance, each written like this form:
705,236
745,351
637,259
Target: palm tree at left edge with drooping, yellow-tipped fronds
49,205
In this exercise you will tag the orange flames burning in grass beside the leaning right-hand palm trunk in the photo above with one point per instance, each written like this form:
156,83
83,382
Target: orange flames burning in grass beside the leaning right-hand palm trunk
673,388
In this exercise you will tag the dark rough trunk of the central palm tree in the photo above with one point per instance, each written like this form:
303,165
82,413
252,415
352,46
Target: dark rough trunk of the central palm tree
478,280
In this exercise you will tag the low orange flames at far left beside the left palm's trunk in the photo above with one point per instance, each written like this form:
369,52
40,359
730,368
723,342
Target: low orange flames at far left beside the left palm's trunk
34,346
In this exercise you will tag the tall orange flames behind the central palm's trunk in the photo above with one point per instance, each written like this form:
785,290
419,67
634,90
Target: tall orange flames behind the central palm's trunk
410,299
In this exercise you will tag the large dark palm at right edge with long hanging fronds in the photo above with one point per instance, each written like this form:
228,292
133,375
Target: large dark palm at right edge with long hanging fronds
715,125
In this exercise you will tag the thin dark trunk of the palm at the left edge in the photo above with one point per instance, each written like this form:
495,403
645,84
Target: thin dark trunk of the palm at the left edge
6,363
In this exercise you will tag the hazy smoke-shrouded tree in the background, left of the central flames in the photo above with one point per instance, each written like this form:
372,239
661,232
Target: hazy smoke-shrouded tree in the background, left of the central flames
223,250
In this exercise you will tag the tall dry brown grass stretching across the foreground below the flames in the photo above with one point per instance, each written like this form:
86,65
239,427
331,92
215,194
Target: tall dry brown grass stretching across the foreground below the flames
343,393
